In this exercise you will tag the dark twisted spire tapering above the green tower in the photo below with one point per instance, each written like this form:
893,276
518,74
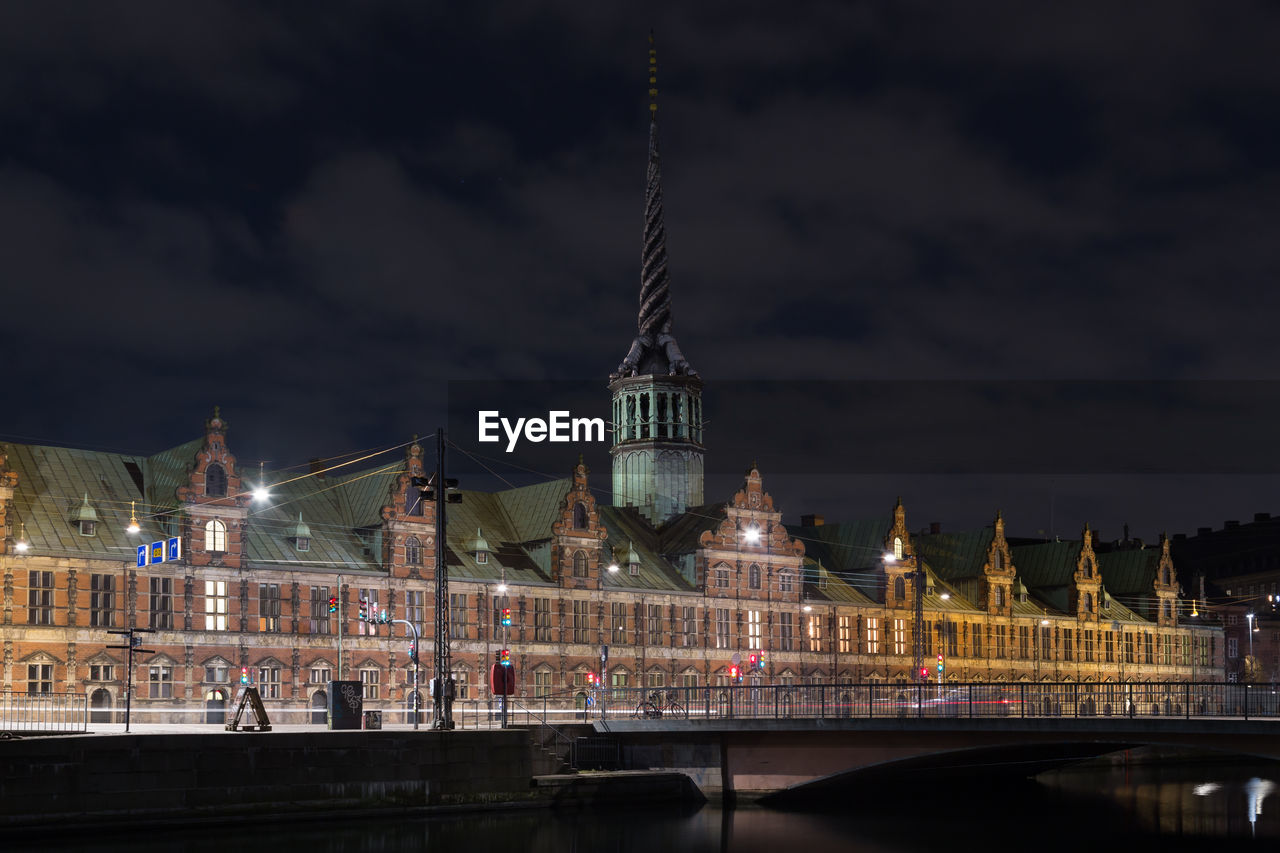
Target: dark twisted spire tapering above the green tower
655,350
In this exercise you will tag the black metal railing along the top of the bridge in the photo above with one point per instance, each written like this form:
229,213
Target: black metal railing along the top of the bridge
986,700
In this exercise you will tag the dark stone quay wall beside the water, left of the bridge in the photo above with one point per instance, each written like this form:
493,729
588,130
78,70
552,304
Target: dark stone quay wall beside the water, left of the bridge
86,779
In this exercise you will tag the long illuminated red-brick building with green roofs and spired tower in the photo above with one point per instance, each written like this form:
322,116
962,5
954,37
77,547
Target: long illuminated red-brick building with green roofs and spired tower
693,585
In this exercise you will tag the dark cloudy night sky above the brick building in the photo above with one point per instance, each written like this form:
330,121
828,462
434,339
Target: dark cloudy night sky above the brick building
318,216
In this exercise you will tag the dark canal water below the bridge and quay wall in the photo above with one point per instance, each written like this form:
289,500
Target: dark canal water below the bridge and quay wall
1109,806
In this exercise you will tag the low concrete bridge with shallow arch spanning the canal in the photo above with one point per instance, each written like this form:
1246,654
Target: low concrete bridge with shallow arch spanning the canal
794,763
